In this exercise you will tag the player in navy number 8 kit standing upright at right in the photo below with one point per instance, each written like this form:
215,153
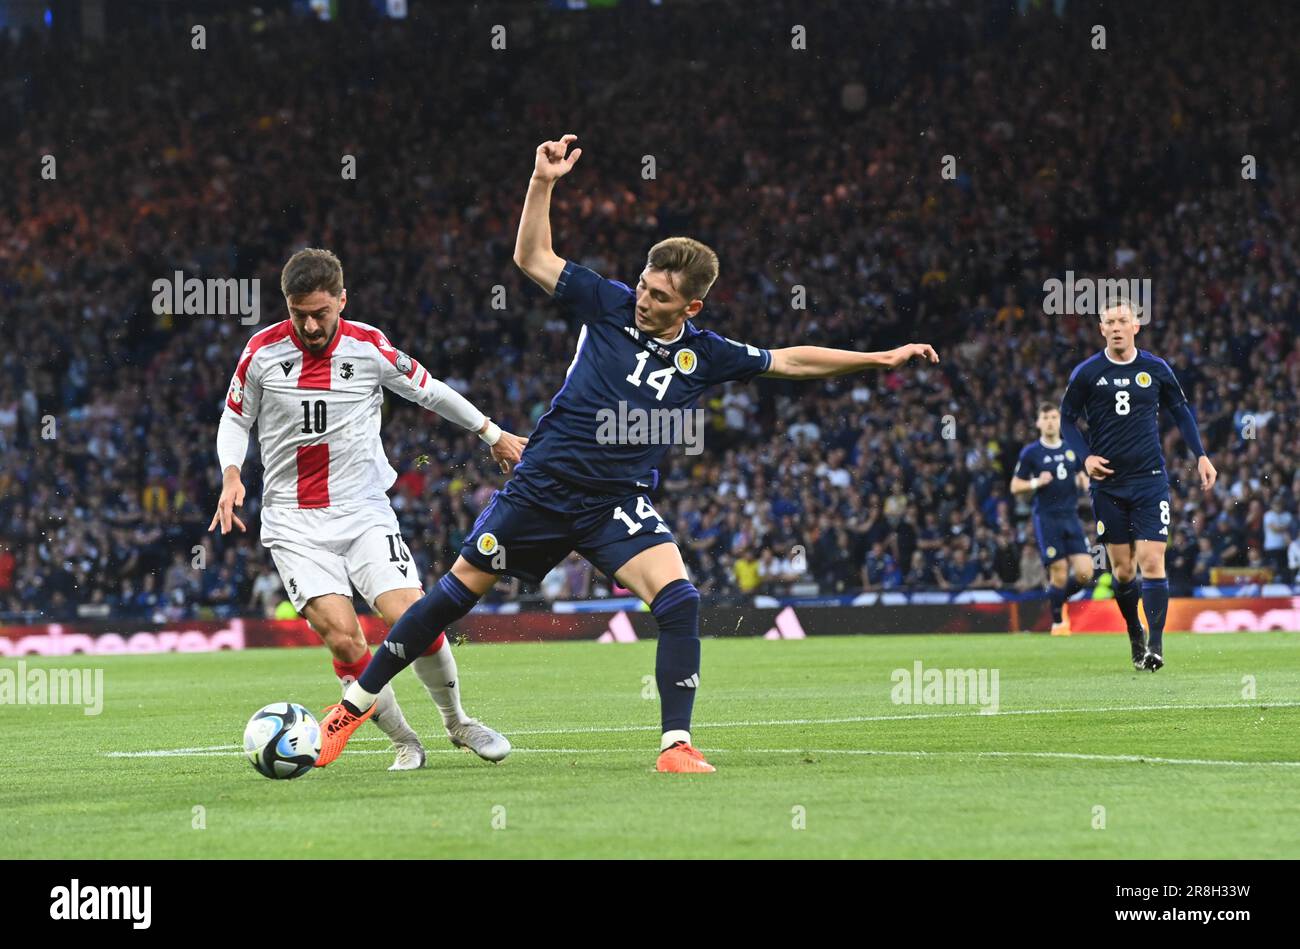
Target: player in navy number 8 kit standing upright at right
1120,392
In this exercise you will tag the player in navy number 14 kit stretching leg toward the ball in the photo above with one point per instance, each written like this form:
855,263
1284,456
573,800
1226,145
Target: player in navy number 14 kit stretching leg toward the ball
639,356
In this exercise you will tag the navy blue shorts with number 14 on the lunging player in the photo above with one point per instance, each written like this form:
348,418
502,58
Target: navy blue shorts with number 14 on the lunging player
536,521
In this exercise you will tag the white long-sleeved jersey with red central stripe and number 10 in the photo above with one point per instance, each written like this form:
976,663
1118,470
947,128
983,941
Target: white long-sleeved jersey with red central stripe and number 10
319,415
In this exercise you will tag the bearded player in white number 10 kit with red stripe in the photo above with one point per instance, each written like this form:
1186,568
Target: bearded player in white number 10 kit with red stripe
315,387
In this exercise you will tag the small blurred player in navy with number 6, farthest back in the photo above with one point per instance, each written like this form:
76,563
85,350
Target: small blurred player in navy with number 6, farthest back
1052,473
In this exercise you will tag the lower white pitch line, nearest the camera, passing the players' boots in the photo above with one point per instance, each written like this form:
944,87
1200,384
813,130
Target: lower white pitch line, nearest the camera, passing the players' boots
860,752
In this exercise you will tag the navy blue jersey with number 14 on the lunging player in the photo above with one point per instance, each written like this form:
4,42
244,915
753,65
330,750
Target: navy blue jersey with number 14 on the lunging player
606,430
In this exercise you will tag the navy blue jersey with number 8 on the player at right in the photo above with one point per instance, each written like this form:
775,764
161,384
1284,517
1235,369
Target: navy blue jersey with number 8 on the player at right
1121,404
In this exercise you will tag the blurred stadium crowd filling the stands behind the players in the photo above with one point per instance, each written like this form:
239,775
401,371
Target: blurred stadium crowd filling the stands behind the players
814,174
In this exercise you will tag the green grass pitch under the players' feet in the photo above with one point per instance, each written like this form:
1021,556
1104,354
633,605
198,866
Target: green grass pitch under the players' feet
1084,759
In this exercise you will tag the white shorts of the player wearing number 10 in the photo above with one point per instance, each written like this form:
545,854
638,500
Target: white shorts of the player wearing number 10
335,549
